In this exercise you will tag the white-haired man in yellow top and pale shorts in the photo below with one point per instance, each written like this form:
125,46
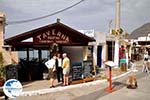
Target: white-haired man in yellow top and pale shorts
66,69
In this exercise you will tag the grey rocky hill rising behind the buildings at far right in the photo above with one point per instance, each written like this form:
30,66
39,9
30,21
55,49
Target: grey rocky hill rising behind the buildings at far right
141,31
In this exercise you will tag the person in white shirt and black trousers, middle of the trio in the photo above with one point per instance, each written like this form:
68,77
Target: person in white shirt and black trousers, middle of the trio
59,68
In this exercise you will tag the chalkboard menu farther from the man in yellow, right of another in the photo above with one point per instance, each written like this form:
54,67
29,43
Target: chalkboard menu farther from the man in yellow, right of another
87,68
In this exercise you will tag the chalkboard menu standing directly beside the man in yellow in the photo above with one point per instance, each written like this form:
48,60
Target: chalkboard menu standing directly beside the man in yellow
77,71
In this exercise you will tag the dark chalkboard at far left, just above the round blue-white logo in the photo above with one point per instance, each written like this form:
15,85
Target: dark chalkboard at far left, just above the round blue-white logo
11,72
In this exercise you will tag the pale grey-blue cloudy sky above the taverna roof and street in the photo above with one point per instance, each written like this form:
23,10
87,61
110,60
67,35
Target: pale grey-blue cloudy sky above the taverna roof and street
90,14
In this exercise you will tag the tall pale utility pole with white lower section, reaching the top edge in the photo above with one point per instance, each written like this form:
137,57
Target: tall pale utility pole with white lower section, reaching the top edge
116,57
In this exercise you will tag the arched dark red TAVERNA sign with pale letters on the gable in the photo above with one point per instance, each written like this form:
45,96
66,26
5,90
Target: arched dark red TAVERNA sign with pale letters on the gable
51,36
